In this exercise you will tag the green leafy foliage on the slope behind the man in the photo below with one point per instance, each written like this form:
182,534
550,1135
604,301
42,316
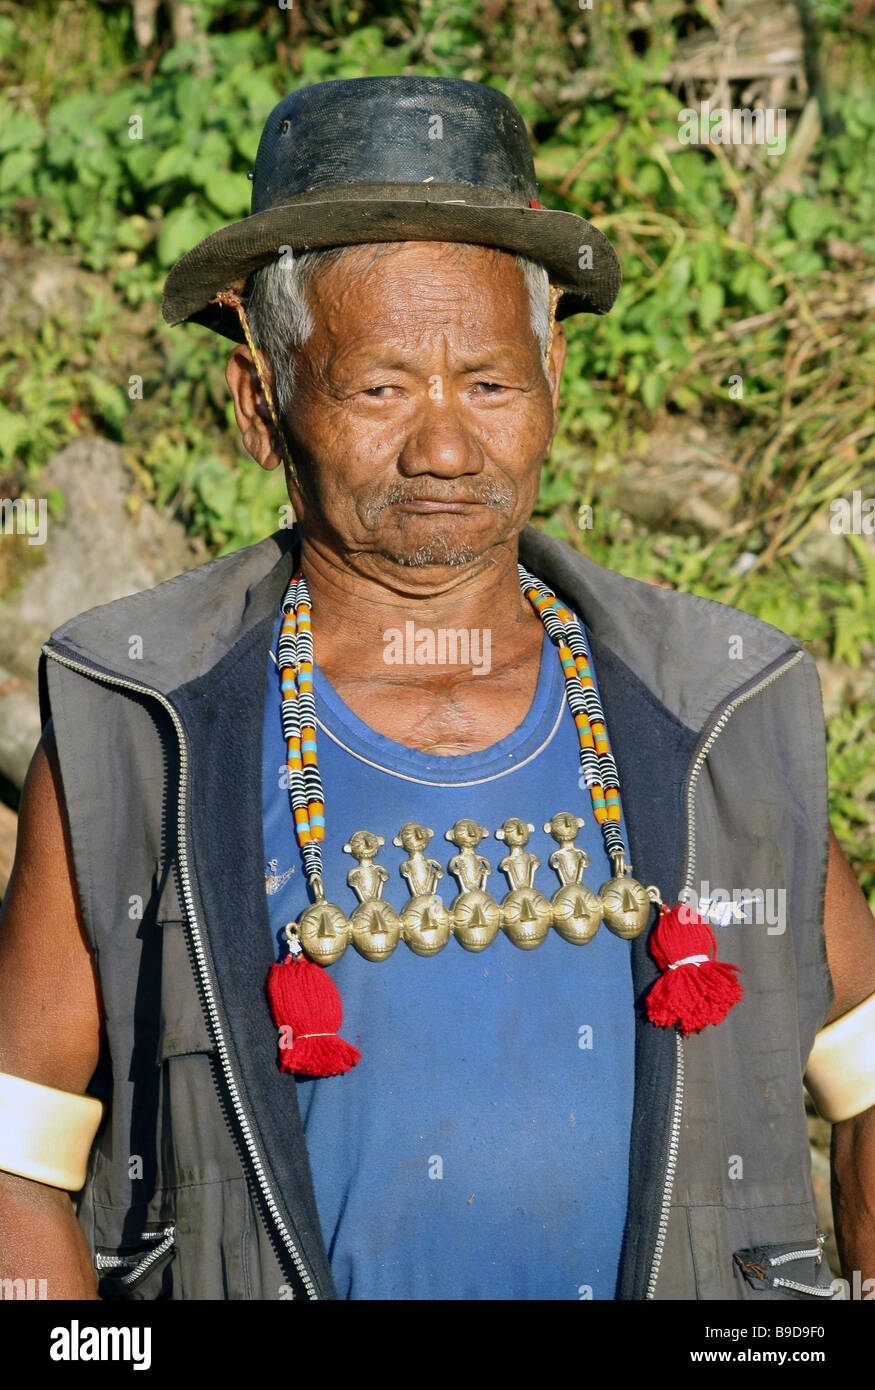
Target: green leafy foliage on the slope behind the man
727,275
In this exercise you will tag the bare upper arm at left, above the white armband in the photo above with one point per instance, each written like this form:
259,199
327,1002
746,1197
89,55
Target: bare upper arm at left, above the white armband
49,993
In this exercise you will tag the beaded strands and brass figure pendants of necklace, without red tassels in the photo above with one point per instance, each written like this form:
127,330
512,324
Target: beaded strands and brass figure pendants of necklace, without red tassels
475,918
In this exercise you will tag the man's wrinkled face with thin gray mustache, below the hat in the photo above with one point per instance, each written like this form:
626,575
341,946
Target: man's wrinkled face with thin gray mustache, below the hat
421,412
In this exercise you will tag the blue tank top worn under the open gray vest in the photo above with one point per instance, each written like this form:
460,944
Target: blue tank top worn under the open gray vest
481,1147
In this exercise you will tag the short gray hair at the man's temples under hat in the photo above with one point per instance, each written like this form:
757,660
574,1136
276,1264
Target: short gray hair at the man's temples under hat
282,319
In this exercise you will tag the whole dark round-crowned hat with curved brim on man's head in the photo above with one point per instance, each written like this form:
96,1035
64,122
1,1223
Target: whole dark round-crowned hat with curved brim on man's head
390,161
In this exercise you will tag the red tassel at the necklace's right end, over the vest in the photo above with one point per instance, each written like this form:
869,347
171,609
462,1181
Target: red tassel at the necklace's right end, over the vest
696,992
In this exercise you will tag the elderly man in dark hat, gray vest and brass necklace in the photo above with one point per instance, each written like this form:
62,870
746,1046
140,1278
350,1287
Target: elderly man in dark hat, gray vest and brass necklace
400,762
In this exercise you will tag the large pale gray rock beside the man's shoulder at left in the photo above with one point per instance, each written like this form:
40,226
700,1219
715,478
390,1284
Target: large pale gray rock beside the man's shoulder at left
108,543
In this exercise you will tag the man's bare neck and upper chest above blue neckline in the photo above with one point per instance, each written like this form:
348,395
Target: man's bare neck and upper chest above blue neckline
378,636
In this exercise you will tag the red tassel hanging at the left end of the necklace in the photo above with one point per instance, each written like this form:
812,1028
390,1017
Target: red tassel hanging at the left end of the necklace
308,1011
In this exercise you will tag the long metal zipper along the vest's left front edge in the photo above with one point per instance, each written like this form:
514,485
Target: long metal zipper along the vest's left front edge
202,967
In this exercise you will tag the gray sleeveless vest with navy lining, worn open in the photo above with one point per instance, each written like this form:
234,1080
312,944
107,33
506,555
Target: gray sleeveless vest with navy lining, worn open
200,1184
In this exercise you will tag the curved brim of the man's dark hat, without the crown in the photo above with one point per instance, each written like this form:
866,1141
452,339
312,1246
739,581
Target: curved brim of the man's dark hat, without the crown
227,258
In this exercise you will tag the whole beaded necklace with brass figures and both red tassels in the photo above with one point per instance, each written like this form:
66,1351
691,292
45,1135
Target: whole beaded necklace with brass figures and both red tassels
693,990
